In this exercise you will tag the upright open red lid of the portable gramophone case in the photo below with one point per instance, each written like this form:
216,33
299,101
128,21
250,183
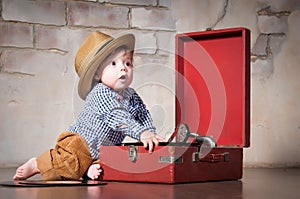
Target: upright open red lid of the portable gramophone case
213,84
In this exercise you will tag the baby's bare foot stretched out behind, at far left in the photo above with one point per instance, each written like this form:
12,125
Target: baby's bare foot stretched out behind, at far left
27,170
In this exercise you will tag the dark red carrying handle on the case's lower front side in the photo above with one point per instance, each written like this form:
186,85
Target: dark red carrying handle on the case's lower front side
212,158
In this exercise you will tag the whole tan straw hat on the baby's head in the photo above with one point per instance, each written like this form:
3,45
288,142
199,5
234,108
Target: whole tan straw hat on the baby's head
92,52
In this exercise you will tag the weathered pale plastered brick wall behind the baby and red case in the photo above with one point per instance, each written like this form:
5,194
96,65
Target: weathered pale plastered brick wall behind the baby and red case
38,84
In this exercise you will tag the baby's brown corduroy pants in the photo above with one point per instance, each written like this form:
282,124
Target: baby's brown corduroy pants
69,160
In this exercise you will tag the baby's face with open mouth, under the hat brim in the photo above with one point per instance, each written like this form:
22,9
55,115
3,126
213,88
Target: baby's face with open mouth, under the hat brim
117,71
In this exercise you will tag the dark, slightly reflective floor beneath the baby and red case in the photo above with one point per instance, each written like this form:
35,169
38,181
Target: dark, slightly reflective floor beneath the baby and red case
256,183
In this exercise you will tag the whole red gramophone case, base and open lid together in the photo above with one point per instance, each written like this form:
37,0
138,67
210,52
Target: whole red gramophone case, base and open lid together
213,99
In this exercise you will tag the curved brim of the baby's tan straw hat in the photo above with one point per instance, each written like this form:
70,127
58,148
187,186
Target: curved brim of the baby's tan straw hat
86,79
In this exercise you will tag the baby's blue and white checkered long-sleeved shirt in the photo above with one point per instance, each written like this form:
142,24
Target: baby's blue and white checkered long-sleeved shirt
108,117
